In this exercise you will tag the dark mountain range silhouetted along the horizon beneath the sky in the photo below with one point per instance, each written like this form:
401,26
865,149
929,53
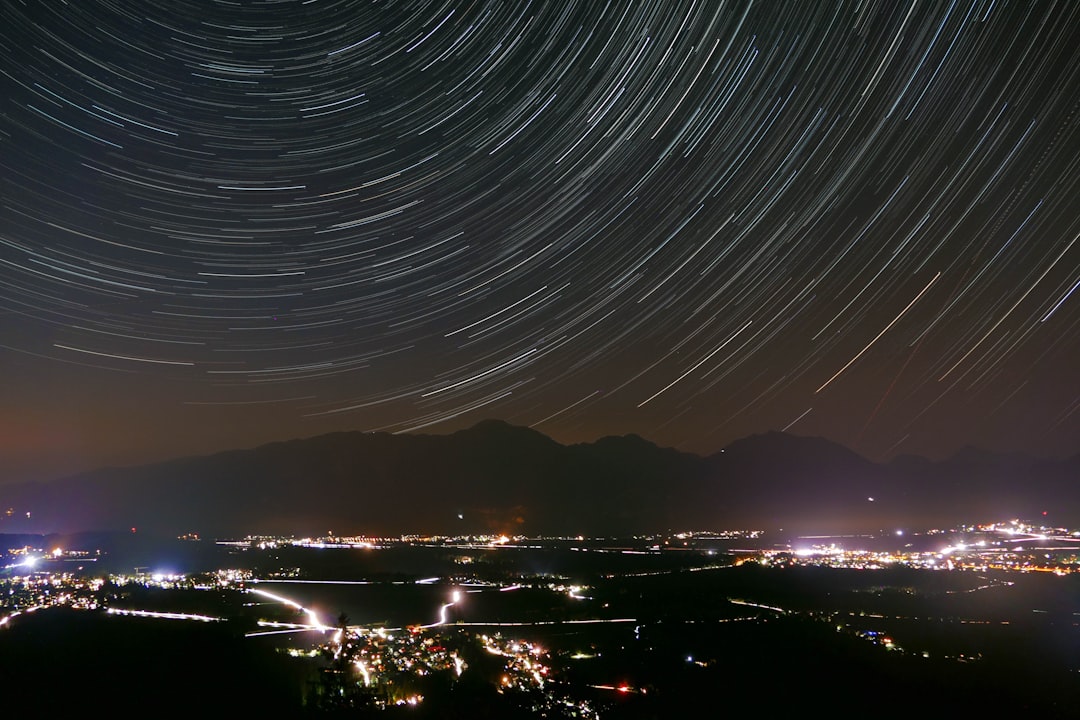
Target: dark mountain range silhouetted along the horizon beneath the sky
496,478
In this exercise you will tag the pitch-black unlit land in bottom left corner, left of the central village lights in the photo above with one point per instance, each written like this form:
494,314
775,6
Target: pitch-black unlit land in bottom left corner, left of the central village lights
69,661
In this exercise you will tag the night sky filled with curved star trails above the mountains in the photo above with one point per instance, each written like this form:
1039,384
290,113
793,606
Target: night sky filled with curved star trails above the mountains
224,224
